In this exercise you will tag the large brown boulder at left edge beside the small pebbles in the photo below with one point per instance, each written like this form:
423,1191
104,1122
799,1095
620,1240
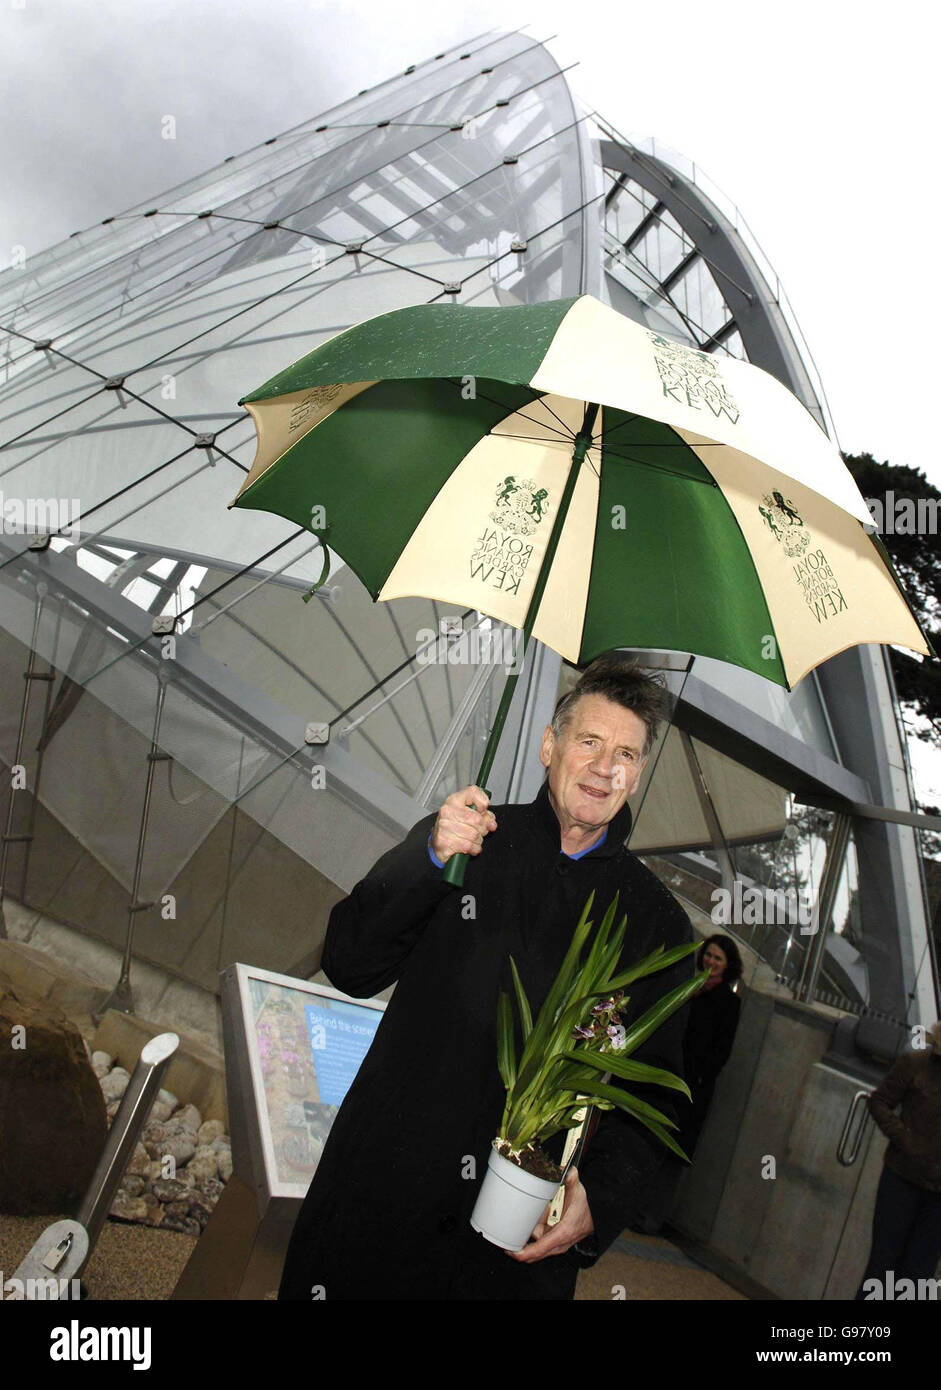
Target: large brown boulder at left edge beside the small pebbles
54,1121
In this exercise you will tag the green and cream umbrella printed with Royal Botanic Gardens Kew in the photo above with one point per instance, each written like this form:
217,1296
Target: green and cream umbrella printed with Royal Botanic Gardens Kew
575,475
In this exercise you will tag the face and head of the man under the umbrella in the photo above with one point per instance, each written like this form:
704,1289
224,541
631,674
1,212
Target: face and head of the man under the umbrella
597,762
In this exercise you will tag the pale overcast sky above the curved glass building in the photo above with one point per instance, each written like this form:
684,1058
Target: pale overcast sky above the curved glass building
819,122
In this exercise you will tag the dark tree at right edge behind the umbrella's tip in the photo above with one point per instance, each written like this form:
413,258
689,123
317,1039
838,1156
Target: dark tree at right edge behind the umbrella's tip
907,509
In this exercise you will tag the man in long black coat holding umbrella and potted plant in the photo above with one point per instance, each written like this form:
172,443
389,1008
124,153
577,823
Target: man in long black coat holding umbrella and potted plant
387,1214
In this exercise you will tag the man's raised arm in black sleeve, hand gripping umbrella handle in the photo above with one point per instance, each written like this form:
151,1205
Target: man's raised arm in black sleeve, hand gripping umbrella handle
372,932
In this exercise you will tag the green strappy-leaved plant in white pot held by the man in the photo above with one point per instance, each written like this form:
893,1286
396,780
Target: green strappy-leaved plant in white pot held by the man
578,1043
